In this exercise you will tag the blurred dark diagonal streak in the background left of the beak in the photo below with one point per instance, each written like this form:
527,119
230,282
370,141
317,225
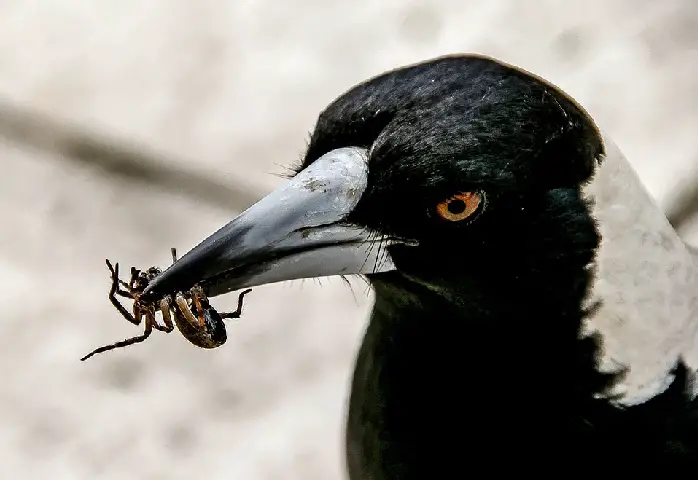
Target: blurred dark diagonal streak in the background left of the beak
75,144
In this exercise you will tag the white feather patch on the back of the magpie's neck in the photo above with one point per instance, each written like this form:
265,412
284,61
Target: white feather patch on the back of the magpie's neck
646,280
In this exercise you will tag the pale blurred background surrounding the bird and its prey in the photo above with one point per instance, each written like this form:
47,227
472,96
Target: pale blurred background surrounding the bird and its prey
129,127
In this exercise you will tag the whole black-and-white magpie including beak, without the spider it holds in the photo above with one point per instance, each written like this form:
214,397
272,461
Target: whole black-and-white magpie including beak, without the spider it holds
511,249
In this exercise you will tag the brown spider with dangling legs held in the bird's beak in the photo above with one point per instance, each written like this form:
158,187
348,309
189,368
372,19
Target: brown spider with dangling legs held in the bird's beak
193,315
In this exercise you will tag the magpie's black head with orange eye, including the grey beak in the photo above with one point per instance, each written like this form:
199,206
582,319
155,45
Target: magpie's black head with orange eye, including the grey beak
455,170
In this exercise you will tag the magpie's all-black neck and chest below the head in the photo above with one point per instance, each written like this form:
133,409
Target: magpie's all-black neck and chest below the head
513,375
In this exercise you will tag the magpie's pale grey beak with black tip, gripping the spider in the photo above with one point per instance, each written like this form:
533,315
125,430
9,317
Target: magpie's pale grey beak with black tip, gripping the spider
297,231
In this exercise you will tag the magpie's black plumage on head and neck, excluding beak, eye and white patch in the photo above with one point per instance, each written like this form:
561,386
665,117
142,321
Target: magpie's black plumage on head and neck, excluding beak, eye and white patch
473,360
